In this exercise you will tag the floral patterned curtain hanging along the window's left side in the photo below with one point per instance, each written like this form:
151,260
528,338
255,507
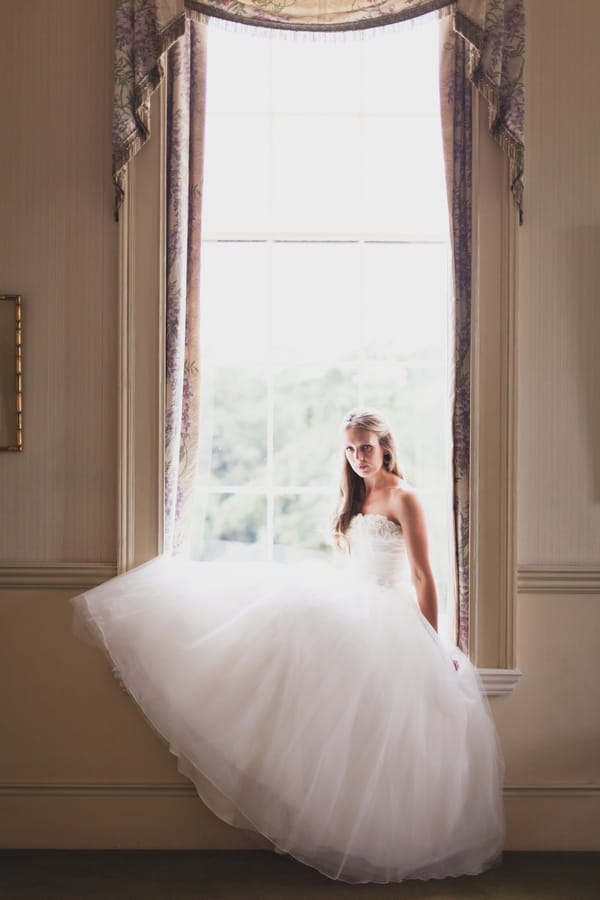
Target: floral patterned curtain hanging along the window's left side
186,93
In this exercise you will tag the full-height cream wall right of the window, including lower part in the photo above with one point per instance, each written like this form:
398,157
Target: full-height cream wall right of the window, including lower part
550,726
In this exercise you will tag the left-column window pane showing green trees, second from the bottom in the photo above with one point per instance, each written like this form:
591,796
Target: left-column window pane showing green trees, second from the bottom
233,433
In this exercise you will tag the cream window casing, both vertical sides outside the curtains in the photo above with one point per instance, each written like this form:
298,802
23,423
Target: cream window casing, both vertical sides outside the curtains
142,230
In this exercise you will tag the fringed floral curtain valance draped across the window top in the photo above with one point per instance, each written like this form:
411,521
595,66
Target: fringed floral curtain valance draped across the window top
493,29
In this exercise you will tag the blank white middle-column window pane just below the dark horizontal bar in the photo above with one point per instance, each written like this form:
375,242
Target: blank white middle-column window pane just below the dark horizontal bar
315,302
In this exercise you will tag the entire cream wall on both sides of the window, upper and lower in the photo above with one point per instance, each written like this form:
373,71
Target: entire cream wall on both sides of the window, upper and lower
78,765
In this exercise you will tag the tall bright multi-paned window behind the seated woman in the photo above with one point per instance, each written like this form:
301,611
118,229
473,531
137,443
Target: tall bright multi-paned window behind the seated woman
324,280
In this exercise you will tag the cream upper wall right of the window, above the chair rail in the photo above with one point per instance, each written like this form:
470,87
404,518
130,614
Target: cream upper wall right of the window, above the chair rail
559,292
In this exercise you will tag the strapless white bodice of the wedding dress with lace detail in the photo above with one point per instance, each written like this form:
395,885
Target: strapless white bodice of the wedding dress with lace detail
377,550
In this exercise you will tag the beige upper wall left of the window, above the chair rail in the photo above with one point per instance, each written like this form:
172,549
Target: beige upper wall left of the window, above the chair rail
58,249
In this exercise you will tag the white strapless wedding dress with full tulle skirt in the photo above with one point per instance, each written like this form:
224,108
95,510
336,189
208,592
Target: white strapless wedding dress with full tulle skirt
314,705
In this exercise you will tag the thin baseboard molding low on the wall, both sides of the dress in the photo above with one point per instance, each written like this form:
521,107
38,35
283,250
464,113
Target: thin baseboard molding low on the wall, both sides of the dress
185,790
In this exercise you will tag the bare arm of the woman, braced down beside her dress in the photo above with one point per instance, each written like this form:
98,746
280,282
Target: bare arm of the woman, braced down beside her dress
409,513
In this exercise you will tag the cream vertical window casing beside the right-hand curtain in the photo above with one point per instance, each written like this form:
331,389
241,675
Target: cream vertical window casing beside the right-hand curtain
493,499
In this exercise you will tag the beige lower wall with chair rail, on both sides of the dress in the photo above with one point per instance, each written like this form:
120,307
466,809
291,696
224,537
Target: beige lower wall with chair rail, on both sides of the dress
81,767
